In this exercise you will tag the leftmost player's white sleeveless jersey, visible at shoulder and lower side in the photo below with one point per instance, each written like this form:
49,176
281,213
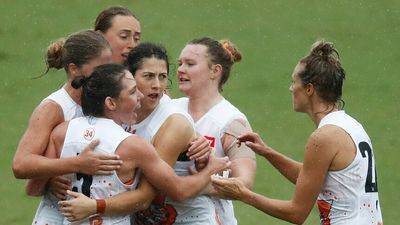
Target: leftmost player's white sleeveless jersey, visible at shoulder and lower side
47,212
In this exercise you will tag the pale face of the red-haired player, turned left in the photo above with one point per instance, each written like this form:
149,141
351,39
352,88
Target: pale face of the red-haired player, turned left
194,73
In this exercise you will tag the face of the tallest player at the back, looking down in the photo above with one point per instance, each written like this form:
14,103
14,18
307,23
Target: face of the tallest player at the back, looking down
123,35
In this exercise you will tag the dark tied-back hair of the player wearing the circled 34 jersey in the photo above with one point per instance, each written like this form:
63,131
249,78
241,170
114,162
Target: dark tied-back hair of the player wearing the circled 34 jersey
105,81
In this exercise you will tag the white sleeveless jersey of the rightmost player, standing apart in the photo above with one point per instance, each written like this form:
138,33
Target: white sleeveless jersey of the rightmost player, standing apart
350,196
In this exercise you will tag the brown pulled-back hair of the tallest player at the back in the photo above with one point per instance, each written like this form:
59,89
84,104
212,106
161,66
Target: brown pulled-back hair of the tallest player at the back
104,19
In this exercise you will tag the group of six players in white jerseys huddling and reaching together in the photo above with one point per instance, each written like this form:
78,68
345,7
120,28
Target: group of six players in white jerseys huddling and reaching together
113,147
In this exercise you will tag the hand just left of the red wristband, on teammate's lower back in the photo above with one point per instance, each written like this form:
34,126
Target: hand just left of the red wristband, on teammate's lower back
78,208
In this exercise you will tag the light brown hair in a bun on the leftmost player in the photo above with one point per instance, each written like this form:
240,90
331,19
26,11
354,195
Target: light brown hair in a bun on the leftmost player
78,48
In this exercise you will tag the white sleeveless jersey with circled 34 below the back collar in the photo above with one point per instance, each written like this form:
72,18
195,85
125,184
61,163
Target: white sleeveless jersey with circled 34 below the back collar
81,131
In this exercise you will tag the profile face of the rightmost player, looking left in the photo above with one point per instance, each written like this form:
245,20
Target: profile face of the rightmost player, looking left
299,96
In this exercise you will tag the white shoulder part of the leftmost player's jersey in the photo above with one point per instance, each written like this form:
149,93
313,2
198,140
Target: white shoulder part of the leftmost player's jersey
70,108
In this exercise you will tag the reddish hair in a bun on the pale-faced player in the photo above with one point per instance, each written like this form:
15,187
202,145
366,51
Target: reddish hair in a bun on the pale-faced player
221,52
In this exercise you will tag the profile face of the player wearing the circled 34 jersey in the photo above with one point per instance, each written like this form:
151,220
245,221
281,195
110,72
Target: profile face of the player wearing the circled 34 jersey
128,101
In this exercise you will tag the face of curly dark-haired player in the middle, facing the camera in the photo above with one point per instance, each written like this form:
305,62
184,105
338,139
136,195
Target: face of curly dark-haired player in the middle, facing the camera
152,80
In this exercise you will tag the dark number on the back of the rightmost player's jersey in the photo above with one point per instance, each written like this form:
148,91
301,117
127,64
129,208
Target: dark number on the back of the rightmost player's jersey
371,184
